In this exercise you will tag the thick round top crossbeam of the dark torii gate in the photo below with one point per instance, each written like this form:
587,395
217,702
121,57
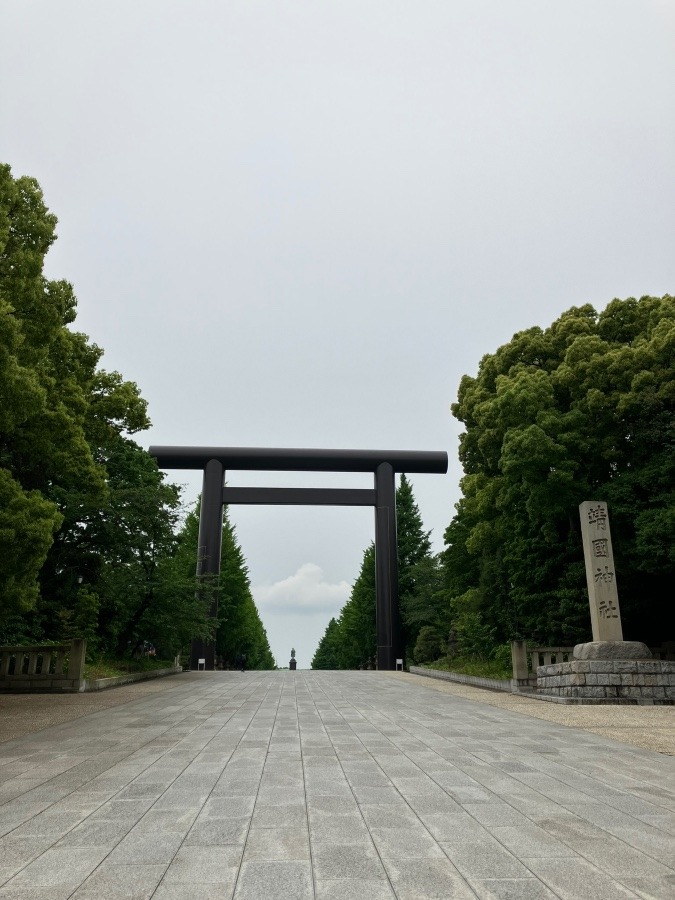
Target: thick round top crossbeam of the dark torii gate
301,460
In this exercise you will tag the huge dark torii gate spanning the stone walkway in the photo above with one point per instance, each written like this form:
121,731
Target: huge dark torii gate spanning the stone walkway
384,465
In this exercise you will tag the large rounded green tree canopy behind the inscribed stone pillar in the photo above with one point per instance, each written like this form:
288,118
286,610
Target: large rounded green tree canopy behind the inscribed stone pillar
582,410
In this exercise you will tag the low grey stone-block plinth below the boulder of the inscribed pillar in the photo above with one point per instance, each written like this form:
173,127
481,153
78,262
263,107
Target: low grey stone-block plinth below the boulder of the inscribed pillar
610,680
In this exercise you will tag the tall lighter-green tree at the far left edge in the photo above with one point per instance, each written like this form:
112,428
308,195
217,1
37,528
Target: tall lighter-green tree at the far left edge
38,420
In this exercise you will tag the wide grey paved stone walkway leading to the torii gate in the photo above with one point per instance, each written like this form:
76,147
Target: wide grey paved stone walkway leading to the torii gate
334,786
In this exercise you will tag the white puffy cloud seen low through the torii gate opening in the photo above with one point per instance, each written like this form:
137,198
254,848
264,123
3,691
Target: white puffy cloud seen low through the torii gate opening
306,591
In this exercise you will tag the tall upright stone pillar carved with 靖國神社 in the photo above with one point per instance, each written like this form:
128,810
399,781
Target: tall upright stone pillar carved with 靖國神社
602,593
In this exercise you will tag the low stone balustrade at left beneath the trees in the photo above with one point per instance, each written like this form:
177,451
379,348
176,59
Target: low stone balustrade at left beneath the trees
46,667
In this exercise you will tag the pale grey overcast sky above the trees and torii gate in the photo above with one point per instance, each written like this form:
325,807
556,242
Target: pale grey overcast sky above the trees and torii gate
300,223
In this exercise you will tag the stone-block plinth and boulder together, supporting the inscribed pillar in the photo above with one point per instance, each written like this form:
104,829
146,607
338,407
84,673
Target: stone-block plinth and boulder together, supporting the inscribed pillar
600,672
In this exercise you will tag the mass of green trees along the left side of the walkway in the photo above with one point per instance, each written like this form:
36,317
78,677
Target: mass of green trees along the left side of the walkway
89,542
